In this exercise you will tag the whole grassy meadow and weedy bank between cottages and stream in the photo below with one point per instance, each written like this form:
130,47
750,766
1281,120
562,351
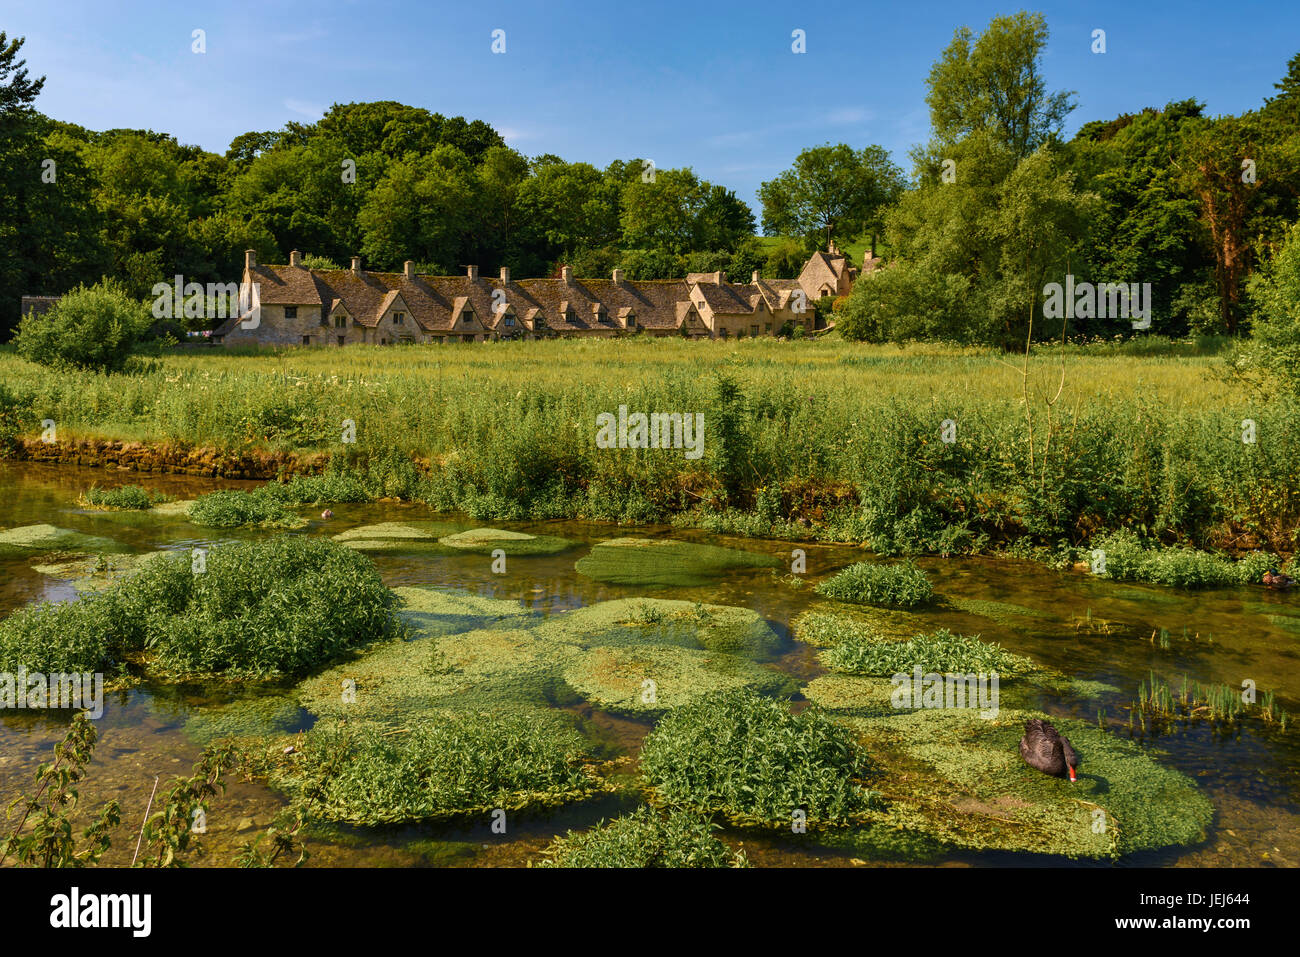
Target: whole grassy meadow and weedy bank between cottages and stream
817,440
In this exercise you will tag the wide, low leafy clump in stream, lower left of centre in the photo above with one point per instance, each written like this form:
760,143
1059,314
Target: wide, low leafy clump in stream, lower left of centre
441,767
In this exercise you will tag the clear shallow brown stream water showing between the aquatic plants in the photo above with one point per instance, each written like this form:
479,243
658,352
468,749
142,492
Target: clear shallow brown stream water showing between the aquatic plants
1251,774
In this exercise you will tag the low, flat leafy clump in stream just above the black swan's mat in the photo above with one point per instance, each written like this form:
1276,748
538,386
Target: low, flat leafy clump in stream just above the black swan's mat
941,652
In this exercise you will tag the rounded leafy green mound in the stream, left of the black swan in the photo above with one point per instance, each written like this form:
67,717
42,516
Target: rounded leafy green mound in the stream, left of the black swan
749,759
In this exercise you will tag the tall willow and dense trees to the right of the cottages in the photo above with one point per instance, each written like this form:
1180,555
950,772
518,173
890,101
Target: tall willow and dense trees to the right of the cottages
1002,205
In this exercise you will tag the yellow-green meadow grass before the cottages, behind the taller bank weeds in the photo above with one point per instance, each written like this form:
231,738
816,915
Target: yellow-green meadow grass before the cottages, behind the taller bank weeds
214,397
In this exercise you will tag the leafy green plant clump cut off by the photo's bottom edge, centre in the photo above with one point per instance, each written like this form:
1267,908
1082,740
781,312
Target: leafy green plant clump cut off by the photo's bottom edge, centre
644,839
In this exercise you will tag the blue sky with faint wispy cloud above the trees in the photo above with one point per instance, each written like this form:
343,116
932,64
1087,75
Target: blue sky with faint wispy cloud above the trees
714,86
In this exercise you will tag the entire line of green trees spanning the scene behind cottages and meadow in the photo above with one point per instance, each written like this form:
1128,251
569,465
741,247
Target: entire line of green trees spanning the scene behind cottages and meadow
999,203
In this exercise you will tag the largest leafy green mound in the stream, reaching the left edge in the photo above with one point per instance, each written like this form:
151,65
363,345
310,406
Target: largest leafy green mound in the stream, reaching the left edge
258,609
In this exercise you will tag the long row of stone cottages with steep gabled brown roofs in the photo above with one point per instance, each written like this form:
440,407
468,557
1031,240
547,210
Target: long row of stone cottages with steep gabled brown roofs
339,308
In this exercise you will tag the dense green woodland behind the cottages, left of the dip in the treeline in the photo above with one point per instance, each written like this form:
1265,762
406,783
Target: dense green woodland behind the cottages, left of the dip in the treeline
384,181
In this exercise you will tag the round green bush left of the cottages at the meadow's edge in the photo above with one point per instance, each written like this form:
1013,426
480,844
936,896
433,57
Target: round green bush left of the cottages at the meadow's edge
92,328
